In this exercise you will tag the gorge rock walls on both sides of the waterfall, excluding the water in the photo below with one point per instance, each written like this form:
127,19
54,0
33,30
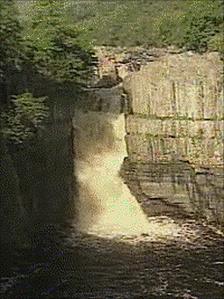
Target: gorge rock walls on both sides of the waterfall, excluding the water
172,102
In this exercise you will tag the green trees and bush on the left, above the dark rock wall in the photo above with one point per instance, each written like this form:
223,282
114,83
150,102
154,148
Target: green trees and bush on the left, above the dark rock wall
46,43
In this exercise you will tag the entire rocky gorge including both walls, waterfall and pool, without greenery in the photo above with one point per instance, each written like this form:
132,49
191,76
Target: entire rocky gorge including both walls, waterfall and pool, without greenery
149,127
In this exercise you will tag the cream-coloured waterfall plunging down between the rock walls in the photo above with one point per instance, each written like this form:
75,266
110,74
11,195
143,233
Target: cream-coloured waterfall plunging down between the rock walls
105,205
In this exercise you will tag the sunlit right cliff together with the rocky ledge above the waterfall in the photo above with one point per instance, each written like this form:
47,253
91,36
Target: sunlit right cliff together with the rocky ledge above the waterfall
173,104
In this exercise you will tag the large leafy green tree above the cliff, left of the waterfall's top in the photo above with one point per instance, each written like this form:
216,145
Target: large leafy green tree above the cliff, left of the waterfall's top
54,45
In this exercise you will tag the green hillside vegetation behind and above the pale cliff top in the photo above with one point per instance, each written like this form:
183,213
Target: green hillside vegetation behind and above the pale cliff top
190,24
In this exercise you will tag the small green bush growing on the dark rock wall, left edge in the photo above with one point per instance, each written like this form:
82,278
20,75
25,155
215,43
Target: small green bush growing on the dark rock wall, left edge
23,117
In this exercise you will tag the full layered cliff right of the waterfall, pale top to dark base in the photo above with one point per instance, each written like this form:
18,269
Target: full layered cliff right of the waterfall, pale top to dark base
175,129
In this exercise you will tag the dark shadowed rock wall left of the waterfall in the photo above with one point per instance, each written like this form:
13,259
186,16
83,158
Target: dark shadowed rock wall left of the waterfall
37,182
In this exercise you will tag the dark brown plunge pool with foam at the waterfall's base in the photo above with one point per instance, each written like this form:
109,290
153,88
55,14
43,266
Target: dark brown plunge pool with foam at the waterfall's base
64,263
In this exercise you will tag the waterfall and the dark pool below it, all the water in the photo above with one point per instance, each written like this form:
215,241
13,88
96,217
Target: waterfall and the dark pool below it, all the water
113,250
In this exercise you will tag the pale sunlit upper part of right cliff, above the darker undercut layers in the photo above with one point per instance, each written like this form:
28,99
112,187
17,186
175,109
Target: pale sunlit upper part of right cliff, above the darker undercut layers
177,110
